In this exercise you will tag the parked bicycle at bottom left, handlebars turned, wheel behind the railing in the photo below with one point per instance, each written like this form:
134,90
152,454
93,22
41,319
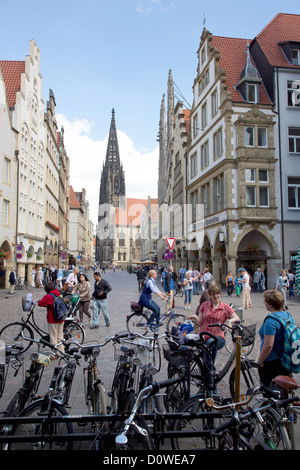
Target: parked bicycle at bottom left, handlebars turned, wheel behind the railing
39,431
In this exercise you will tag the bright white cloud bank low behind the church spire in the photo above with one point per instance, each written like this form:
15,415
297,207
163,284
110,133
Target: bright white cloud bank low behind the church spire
87,157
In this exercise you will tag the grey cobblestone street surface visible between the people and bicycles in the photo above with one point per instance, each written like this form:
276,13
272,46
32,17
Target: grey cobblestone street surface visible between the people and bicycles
124,290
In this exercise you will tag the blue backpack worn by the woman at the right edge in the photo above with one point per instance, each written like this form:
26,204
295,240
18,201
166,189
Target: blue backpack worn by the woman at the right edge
291,344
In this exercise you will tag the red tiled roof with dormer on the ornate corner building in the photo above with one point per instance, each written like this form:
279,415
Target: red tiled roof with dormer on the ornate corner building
233,56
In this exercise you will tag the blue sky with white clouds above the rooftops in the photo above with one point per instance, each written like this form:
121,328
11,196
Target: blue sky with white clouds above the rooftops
97,55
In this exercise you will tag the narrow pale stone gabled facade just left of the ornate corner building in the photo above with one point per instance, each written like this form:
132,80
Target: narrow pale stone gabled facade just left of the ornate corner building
174,134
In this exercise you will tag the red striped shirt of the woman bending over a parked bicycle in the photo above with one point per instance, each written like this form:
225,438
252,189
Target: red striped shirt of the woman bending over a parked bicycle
218,315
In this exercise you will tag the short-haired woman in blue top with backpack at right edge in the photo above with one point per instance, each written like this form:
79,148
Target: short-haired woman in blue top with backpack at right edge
278,333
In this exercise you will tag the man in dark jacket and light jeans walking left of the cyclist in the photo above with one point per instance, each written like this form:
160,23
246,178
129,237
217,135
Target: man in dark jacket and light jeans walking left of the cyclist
99,296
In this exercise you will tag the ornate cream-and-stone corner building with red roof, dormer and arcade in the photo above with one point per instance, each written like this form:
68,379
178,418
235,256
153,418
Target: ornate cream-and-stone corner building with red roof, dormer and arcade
232,163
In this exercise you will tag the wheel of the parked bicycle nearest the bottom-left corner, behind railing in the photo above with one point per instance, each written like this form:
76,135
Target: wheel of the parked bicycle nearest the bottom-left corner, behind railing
47,435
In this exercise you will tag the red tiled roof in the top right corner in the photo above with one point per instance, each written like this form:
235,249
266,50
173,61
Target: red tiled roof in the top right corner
283,27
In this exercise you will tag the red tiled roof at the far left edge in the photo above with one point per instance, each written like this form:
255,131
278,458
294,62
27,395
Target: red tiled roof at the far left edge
12,70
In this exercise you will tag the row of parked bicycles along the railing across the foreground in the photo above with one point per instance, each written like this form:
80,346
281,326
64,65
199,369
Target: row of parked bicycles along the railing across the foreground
133,414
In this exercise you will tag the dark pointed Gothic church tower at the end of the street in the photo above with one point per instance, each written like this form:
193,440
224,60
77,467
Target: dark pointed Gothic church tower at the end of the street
112,189
